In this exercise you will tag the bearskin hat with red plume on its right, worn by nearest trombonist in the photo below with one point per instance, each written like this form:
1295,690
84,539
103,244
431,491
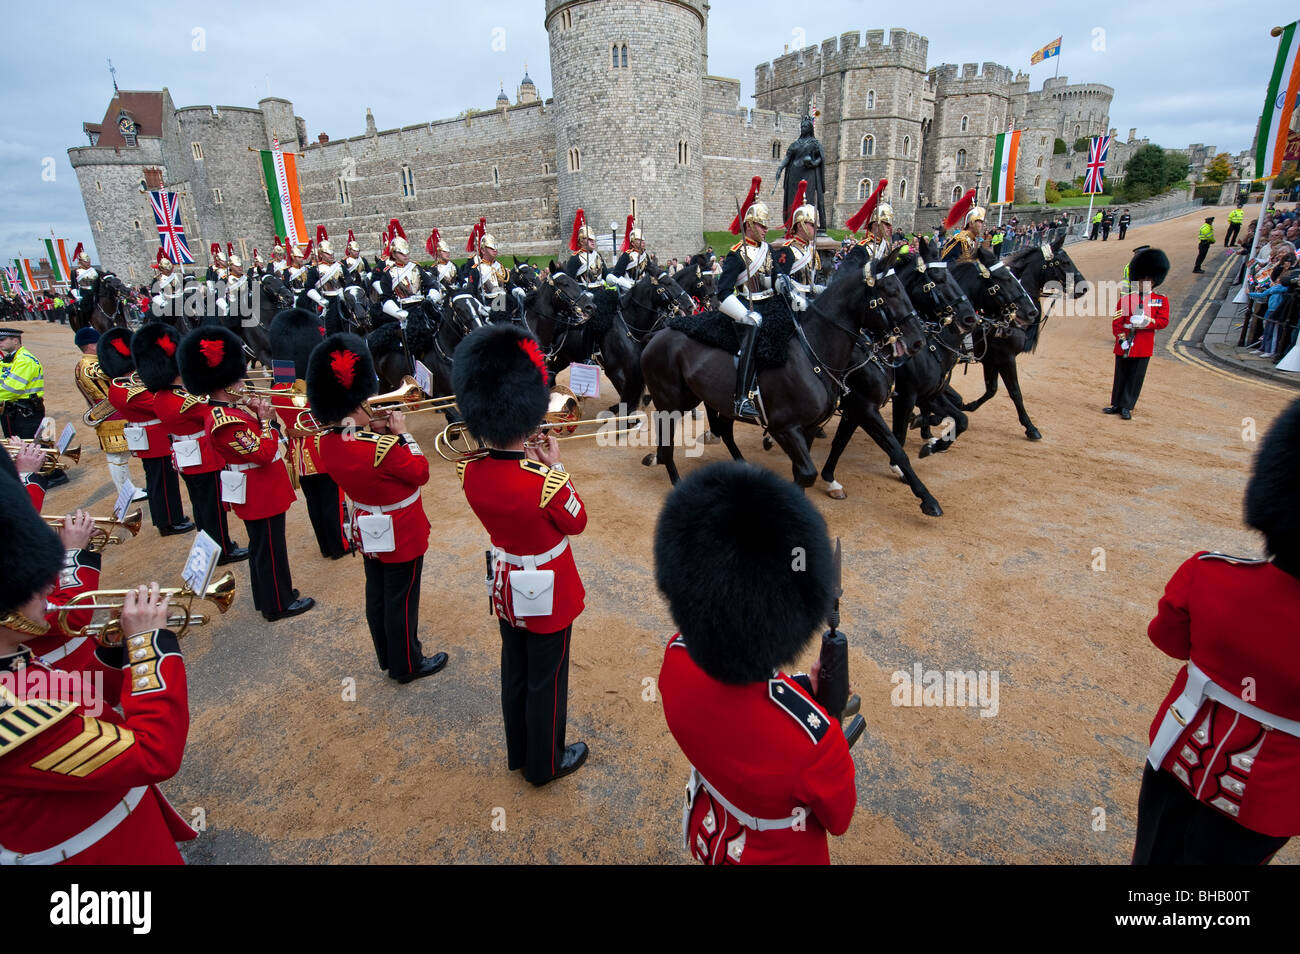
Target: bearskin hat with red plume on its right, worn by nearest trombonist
499,375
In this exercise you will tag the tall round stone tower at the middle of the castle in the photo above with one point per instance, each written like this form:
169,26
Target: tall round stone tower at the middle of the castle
629,84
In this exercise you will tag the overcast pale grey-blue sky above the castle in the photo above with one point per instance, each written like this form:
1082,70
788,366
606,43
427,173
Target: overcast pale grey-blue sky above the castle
1194,72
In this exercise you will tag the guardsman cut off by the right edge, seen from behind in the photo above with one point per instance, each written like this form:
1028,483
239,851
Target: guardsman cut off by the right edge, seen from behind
1223,780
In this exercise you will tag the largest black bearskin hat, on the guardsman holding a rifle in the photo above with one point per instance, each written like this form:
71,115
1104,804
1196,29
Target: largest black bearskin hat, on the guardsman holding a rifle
746,563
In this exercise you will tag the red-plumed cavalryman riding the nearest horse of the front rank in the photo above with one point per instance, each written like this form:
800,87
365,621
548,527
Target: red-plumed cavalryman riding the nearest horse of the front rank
747,281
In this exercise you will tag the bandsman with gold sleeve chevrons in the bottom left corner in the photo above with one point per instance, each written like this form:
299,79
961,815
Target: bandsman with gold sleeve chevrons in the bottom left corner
79,782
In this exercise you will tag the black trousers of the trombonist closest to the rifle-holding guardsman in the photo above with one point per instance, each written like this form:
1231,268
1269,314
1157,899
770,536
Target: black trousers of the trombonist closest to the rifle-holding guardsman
535,699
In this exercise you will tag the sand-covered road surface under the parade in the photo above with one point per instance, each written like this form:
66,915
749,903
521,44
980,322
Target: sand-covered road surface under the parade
284,766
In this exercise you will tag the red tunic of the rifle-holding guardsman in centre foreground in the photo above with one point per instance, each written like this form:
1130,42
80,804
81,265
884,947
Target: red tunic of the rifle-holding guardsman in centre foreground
769,749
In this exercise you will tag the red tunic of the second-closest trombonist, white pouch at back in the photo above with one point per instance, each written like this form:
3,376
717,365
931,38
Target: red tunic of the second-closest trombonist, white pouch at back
380,470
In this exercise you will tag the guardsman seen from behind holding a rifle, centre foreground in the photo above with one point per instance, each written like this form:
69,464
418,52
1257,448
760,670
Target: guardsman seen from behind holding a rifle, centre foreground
770,770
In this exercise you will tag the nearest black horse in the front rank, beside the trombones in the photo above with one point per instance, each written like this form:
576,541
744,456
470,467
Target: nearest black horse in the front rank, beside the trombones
800,397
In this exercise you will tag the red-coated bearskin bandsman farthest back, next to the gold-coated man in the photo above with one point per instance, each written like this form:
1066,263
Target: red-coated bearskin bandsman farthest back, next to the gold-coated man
146,437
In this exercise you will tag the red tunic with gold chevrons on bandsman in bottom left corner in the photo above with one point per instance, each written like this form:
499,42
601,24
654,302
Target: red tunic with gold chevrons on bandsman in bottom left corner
67,765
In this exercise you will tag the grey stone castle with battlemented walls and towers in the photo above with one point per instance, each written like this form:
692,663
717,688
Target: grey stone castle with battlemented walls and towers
636,125
